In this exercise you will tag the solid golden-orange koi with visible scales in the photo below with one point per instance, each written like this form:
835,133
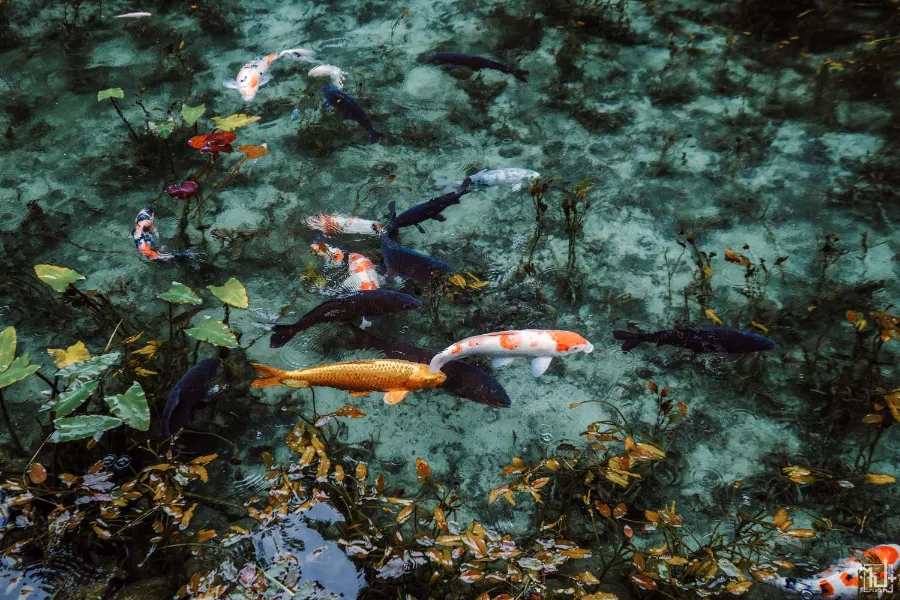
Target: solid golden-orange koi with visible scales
360,377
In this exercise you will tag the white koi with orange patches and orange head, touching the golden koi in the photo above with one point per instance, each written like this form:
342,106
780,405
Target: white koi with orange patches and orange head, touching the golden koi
541,345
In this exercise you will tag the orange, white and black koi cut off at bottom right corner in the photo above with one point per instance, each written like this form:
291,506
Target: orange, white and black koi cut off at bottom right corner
841,581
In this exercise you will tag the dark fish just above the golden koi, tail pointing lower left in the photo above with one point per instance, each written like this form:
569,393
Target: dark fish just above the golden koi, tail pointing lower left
347,307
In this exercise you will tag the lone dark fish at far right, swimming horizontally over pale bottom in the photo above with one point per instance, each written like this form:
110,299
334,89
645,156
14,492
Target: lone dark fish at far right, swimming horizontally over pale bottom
729,341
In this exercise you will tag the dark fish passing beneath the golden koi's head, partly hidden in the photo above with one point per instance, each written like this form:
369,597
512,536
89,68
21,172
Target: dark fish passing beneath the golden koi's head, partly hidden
463,380
